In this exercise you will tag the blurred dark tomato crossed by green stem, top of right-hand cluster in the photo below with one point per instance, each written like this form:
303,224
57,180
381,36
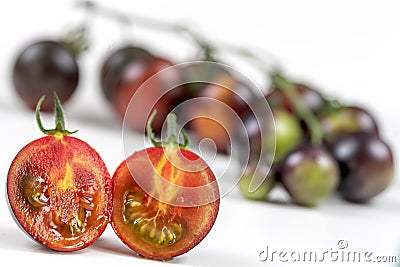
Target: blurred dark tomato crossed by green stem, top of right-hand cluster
311,98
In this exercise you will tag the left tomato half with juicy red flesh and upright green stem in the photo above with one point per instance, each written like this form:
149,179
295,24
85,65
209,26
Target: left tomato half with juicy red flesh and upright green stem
59,189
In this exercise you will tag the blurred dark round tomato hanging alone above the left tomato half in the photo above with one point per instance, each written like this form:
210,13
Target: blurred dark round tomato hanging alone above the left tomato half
42,68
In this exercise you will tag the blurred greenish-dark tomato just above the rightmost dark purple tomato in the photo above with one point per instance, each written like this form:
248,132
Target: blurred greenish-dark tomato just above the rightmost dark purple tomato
346,120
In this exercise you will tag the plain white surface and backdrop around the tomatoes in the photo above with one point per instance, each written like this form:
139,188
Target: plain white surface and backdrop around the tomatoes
348,48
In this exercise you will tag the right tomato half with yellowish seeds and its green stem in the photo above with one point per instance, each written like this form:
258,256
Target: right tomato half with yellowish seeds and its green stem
165,198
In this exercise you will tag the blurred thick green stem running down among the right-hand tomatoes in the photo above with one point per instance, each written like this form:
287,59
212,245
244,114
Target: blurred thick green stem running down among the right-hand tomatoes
302,111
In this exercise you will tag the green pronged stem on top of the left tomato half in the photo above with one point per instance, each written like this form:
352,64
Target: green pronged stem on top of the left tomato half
59,118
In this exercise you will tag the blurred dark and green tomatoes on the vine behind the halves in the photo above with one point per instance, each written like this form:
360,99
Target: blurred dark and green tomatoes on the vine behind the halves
319,146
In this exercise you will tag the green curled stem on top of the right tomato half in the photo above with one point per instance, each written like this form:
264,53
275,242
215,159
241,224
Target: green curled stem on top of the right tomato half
173,130
